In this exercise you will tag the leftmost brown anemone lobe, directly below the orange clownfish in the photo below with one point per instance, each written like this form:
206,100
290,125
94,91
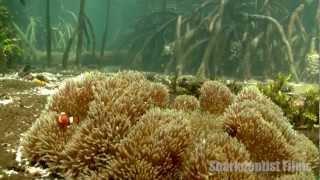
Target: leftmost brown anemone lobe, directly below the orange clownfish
44,141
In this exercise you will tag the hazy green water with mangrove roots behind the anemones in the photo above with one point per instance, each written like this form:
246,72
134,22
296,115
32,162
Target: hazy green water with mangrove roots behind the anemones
252,39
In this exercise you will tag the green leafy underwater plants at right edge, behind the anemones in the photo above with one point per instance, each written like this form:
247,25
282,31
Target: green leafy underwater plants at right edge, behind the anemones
301,109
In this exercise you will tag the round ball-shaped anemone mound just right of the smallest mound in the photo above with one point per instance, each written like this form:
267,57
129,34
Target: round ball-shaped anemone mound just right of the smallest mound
215,97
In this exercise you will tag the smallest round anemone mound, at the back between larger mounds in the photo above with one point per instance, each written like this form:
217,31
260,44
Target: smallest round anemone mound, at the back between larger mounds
186,103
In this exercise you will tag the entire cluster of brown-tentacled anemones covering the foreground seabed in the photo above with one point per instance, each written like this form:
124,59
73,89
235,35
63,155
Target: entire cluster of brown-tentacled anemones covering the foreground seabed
128,129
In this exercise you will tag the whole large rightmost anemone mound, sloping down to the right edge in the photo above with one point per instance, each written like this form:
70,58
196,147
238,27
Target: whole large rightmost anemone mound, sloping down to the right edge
267,134
